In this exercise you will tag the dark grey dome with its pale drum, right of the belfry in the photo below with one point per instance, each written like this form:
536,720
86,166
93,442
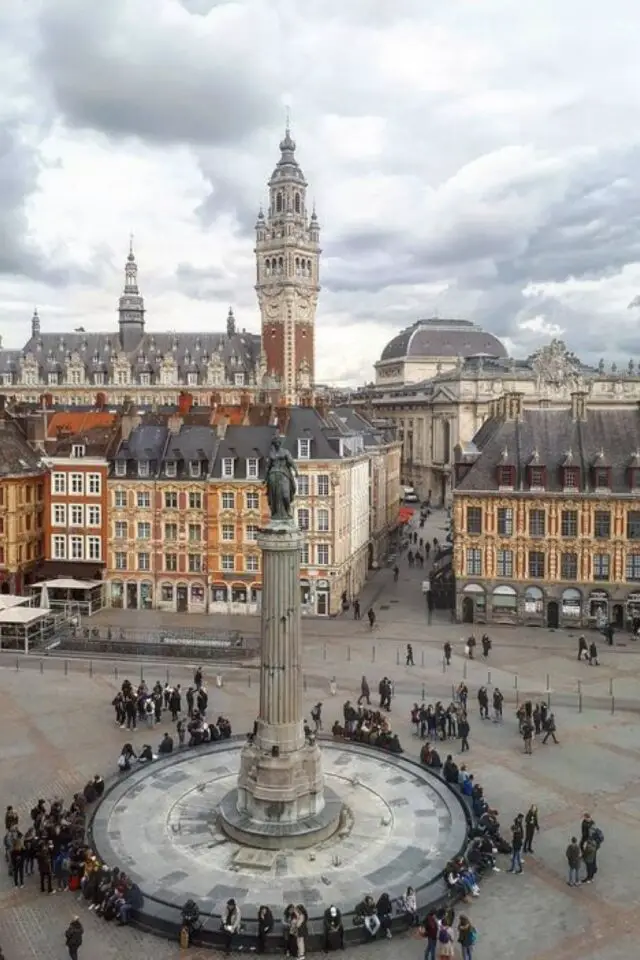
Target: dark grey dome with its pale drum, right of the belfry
430,347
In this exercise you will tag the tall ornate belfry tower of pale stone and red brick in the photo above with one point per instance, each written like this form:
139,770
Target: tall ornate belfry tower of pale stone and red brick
287,276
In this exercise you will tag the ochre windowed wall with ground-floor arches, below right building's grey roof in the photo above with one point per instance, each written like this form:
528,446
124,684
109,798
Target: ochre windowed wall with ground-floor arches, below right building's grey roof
554,559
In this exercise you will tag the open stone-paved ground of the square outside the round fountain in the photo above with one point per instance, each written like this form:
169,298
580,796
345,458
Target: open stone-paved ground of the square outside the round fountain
56,730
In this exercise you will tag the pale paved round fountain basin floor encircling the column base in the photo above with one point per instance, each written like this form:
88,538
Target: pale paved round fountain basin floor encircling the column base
160,823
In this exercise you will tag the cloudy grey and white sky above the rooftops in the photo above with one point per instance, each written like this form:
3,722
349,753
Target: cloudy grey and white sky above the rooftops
476,158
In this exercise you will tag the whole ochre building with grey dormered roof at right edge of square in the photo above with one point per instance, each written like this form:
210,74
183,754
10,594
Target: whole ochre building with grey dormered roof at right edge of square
547,514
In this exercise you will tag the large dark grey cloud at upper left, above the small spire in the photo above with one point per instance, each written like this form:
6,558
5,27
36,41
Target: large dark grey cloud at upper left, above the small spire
115,68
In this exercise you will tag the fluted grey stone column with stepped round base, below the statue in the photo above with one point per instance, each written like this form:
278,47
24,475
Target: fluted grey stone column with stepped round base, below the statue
280,785
